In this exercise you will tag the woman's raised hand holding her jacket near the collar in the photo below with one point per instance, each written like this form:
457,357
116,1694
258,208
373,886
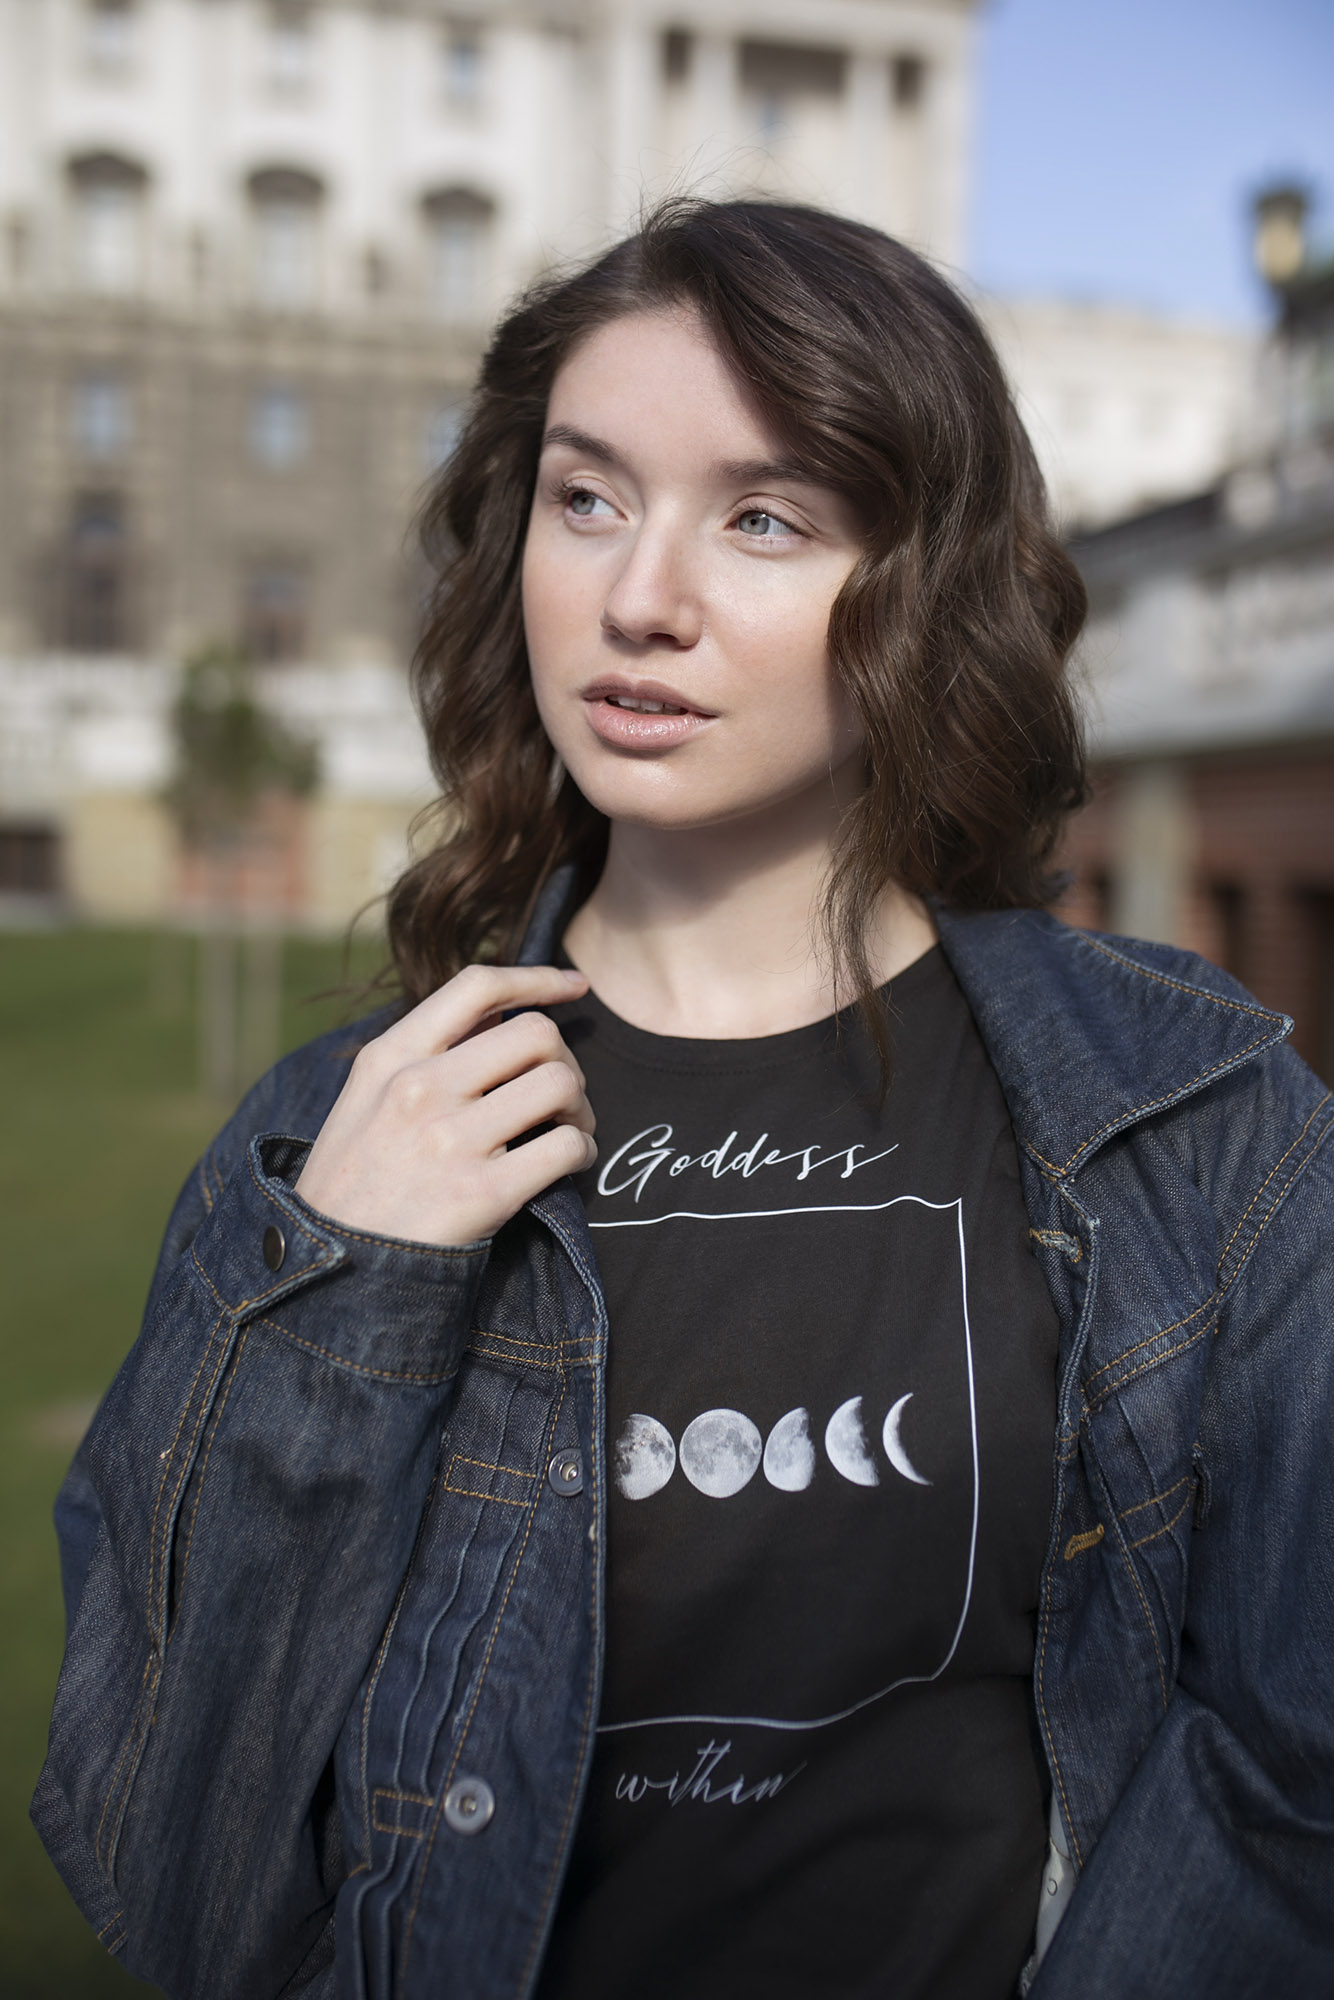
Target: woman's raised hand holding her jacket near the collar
421,1139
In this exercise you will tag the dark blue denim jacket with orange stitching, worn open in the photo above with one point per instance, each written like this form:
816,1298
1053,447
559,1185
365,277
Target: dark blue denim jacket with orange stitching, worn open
335,1543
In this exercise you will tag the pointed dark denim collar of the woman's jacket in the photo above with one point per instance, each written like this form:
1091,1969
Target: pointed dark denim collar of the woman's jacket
1085,1039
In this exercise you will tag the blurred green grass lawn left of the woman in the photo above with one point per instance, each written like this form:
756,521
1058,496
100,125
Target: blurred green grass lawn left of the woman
101,1119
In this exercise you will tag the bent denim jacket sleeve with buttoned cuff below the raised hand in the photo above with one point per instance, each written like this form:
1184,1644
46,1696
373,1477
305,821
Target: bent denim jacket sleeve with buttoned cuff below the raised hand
233,1535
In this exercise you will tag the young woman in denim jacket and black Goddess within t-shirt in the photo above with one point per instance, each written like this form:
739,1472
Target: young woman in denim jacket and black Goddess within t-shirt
707,1561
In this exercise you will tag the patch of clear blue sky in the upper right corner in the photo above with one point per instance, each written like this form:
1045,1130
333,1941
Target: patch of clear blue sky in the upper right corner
1119,143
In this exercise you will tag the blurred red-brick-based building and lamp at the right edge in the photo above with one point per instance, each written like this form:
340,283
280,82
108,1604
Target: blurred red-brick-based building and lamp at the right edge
1211,665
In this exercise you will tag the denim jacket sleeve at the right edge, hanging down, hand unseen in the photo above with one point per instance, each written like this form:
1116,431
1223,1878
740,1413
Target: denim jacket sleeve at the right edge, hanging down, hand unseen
1215,1875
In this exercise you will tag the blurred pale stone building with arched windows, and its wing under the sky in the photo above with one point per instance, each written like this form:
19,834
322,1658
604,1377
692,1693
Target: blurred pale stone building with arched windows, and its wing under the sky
249,253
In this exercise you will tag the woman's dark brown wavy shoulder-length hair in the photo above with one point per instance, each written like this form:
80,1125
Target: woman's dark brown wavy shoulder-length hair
951,635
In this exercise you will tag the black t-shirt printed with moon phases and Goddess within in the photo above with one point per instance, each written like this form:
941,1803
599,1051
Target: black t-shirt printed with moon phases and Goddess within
831,1415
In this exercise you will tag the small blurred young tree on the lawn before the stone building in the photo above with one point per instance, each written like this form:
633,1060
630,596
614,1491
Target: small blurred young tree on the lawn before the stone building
231,755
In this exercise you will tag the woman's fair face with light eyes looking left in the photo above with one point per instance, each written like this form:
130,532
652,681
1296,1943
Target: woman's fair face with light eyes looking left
679,579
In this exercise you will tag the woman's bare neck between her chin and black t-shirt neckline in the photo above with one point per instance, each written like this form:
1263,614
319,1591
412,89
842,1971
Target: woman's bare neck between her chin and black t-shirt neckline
717,933
